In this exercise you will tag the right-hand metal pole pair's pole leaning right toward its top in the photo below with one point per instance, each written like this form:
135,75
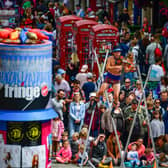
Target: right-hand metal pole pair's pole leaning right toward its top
133,123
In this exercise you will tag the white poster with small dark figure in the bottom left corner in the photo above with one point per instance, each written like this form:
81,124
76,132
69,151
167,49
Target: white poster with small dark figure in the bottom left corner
10,156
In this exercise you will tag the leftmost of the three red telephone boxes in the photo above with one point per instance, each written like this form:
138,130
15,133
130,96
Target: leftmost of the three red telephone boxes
64,38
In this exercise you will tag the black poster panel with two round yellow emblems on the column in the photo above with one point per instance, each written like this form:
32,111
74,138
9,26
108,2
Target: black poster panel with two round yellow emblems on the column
24,133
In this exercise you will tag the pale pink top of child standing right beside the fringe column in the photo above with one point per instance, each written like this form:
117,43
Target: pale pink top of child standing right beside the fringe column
57,128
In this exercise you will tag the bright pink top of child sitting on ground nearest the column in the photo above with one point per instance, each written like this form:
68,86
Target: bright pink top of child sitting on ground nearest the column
65,153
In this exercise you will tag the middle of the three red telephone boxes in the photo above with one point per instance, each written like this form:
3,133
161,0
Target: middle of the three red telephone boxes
81,35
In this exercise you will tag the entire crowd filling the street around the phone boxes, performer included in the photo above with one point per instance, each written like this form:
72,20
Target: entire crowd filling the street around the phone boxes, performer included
77,95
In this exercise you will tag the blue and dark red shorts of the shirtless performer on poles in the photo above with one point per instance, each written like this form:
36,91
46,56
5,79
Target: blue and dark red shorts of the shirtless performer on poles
111,79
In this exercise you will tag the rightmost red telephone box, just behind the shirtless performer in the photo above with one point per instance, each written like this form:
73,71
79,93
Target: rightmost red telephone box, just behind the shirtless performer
102,37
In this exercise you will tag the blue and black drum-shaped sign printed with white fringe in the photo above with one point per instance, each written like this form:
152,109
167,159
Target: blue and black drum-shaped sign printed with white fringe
25,77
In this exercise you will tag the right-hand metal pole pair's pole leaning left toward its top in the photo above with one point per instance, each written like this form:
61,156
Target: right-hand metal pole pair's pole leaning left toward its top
148,121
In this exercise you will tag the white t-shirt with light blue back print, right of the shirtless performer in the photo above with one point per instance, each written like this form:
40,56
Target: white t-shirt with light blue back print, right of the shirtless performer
156,73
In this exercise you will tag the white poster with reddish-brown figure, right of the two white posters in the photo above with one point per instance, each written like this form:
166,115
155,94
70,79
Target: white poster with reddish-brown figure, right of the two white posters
34,156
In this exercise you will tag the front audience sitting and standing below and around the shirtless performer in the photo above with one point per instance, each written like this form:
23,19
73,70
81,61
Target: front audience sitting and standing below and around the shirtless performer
75,102
